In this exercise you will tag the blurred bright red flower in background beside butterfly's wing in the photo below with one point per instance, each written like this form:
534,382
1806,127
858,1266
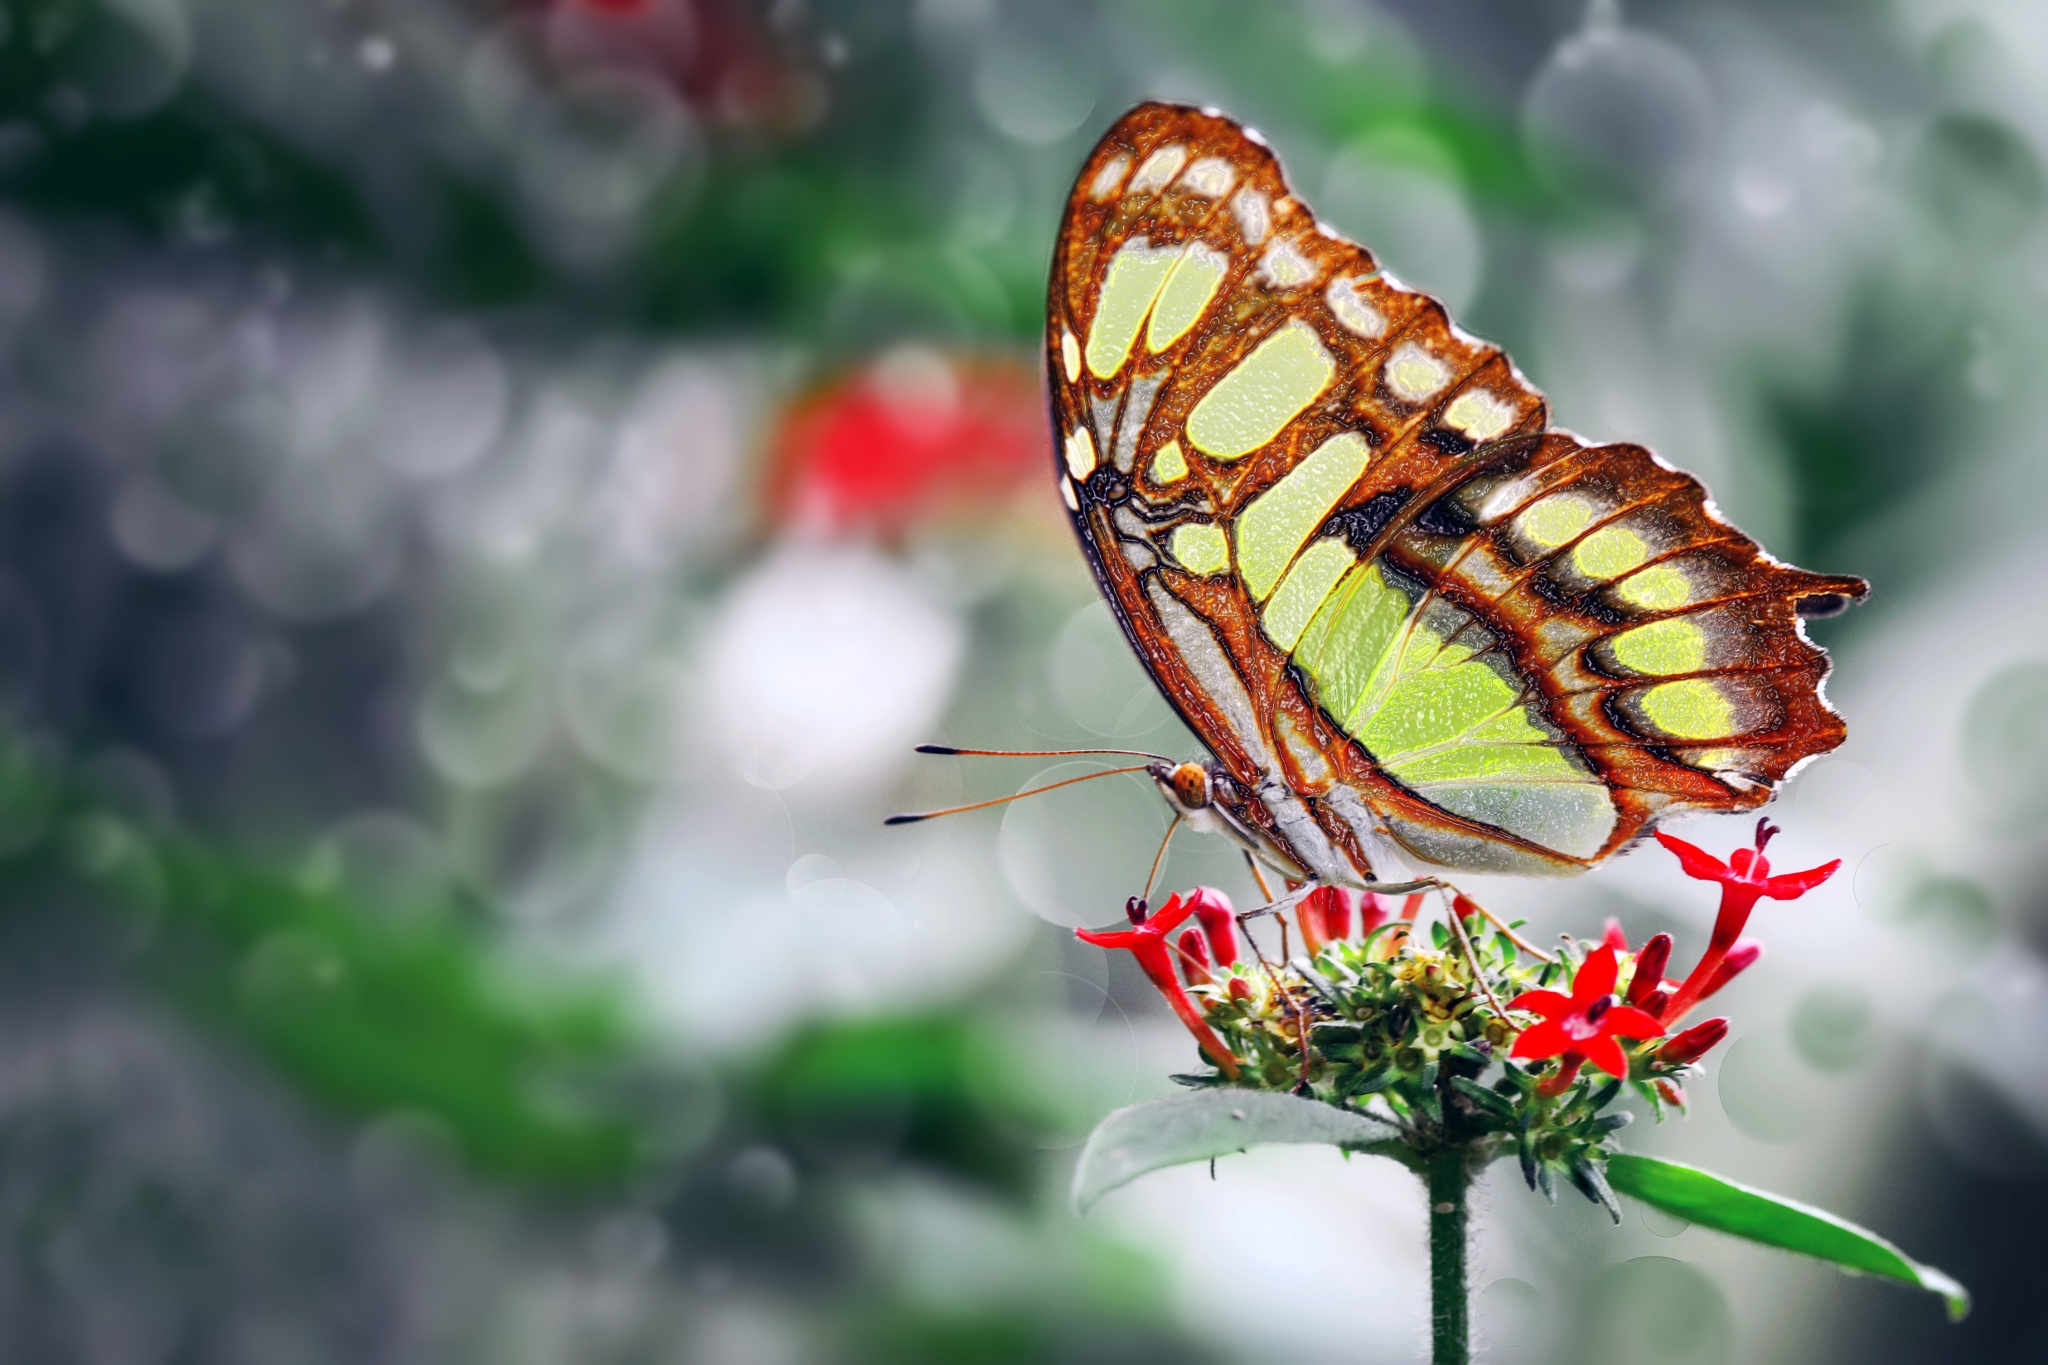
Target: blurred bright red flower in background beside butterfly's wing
904,439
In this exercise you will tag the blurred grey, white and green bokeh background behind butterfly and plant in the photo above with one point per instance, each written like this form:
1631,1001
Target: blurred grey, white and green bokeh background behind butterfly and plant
493,490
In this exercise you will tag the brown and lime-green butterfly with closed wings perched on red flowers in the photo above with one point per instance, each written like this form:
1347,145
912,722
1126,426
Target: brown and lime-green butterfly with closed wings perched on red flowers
1412,621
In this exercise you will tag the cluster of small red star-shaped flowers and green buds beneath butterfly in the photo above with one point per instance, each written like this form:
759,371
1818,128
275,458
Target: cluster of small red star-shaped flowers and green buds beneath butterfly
1461,1032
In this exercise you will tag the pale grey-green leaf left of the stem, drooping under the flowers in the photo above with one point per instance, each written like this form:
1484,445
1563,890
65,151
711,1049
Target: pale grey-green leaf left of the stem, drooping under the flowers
1168,1133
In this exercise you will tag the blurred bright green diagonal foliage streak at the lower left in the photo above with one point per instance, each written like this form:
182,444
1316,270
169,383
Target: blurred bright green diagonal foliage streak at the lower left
368,1012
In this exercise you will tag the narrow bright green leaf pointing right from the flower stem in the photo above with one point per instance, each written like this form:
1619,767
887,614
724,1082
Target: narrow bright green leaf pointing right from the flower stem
1775,1221
